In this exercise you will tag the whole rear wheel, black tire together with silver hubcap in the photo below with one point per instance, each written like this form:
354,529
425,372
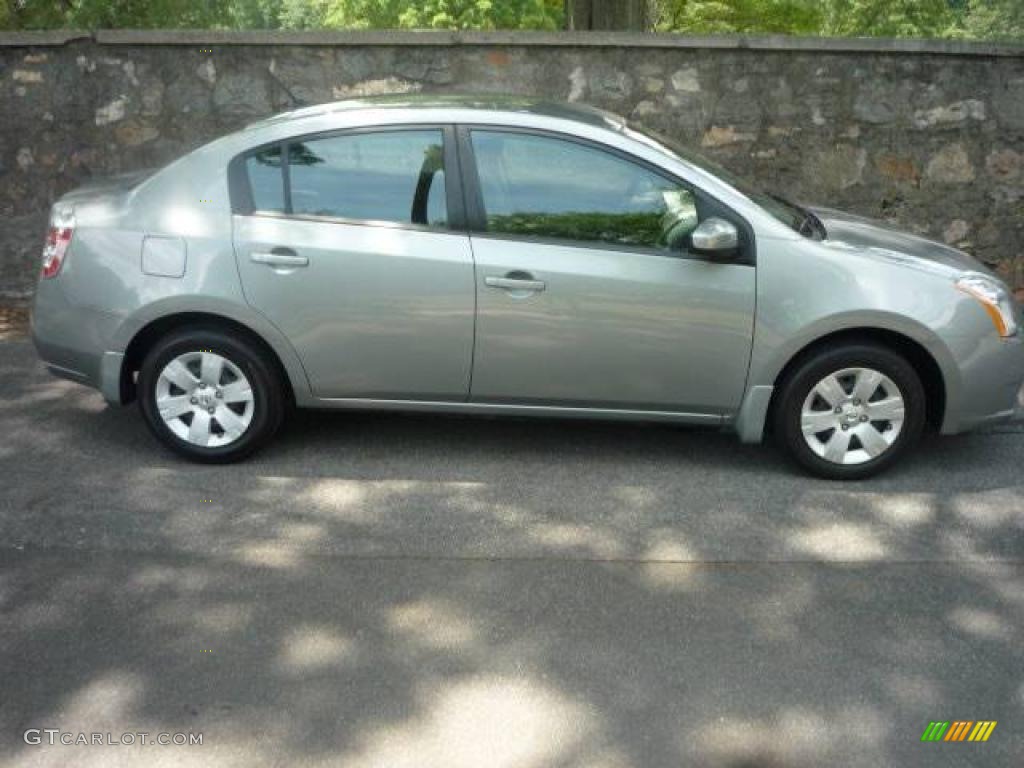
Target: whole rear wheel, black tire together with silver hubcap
209,395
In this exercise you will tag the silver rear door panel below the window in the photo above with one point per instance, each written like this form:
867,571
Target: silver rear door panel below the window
378,313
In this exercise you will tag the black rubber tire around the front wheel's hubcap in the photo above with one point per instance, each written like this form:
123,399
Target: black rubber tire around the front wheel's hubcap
798,386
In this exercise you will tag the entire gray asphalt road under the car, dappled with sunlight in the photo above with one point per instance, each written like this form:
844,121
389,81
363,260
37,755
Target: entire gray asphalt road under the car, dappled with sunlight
409,591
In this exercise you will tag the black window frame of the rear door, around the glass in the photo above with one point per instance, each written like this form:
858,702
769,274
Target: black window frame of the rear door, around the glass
240,189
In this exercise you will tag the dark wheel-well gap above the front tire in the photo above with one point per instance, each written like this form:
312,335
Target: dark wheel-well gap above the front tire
922,361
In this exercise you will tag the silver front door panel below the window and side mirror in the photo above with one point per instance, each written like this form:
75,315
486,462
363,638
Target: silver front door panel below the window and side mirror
612,329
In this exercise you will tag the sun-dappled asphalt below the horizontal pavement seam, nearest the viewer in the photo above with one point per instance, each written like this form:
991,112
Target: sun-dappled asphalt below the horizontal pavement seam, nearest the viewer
309,661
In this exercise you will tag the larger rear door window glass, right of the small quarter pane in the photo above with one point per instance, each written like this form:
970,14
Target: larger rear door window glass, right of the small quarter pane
391,177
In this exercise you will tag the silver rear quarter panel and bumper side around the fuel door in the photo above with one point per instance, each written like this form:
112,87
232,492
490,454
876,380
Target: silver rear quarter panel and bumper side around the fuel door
104,298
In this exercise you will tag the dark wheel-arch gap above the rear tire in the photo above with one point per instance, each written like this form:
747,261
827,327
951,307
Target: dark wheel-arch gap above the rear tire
146,333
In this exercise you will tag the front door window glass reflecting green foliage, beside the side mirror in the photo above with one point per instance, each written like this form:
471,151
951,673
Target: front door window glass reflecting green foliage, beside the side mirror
551,188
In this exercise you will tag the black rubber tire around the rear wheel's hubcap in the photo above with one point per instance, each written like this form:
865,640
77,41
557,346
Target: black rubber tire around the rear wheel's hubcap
269,400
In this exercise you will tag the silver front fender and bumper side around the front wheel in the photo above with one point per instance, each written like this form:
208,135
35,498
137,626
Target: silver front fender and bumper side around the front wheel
808,291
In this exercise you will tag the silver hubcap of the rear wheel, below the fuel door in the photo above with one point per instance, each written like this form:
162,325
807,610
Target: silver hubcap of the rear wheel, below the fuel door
205,400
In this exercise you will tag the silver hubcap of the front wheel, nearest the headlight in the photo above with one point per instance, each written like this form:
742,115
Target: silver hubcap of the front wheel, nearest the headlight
852,416
